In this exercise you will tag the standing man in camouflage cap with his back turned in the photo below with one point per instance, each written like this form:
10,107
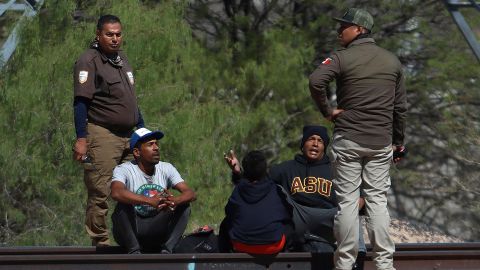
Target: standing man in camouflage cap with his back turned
369,124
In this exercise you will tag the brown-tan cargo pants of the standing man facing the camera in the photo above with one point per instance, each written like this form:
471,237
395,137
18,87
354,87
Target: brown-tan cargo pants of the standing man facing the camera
106,150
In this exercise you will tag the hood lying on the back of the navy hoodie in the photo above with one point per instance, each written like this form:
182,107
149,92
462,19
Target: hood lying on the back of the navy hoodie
253,192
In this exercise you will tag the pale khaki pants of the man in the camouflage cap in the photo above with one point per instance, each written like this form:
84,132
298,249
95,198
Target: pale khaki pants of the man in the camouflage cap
367,167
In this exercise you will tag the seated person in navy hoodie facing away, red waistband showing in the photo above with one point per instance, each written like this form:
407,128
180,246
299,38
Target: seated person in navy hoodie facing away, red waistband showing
256,215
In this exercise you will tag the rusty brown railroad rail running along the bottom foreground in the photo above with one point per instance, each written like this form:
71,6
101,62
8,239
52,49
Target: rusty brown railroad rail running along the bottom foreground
435,256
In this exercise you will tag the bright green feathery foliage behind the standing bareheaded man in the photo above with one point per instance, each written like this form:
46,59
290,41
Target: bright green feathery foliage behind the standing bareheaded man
203,102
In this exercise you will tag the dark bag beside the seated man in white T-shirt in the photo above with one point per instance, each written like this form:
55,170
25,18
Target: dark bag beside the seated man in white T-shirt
202,240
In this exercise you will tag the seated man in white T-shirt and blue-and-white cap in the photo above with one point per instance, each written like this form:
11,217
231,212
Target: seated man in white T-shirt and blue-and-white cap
148,217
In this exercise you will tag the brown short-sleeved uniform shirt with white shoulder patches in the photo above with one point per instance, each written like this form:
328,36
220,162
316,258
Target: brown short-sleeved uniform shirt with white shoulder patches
110,89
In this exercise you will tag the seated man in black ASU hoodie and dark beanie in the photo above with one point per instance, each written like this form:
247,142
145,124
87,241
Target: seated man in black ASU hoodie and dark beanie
306,181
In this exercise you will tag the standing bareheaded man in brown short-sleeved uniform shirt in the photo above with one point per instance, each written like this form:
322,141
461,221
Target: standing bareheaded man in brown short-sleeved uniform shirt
105,112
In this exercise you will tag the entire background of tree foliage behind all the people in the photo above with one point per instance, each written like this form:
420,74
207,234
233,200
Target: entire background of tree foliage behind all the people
216,77
